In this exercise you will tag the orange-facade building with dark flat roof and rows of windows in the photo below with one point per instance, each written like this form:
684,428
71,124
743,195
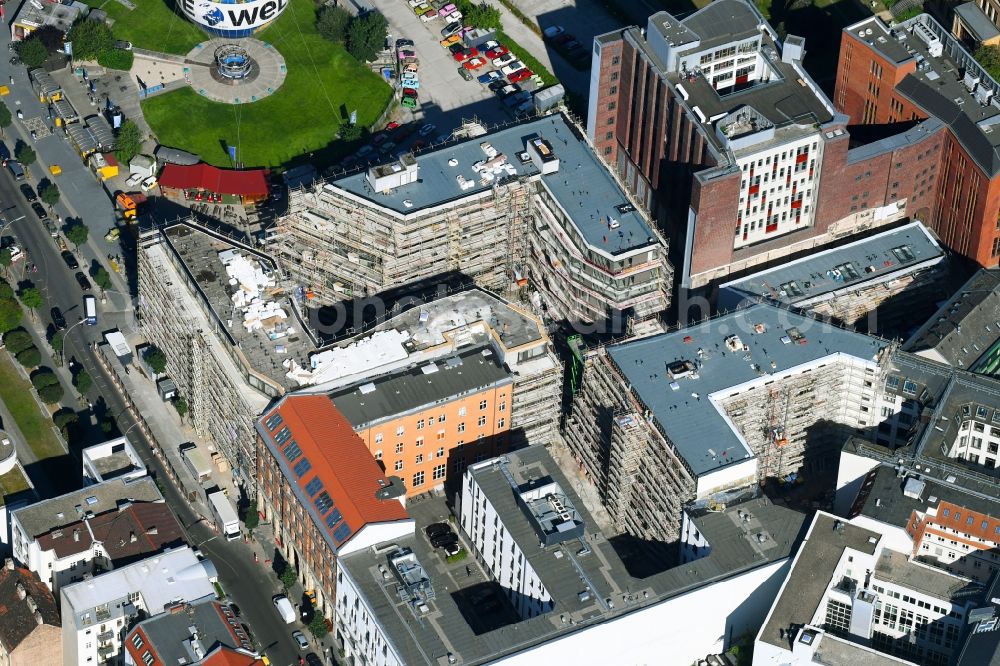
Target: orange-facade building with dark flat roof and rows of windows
426,423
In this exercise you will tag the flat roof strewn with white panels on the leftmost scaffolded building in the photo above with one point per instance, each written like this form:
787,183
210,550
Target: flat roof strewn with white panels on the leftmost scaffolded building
247,306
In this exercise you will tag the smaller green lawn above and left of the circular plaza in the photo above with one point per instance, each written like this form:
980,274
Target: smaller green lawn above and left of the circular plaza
154,25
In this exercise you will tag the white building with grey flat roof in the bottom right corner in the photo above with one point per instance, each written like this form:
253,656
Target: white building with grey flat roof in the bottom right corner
849,598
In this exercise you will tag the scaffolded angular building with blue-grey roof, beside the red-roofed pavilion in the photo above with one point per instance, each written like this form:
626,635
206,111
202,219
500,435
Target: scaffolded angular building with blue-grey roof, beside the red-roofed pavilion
527,211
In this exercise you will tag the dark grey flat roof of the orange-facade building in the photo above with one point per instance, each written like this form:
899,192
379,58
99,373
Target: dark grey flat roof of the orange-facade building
402,391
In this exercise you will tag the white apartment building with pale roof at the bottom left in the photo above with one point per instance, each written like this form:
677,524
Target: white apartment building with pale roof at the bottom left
96,613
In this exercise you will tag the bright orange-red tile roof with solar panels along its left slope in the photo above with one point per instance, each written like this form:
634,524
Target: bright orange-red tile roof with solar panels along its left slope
338,458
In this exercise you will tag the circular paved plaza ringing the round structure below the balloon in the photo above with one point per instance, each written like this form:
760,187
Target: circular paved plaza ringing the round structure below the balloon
265,76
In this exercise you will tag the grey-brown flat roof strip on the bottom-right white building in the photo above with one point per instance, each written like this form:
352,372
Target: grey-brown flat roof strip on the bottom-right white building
812,573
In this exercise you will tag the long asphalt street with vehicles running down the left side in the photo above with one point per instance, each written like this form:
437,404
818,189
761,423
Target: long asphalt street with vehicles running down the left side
249,584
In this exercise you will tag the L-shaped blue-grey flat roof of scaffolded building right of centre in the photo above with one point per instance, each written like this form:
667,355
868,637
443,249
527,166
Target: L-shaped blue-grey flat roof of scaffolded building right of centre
682,408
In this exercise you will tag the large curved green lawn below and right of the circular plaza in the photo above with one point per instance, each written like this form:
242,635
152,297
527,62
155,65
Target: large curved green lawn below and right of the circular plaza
324,84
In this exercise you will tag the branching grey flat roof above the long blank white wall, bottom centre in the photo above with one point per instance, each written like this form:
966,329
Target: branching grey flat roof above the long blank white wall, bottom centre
425,639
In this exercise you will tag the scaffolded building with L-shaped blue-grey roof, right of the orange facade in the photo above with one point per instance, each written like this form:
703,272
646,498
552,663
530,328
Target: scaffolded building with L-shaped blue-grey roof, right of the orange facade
704,413
